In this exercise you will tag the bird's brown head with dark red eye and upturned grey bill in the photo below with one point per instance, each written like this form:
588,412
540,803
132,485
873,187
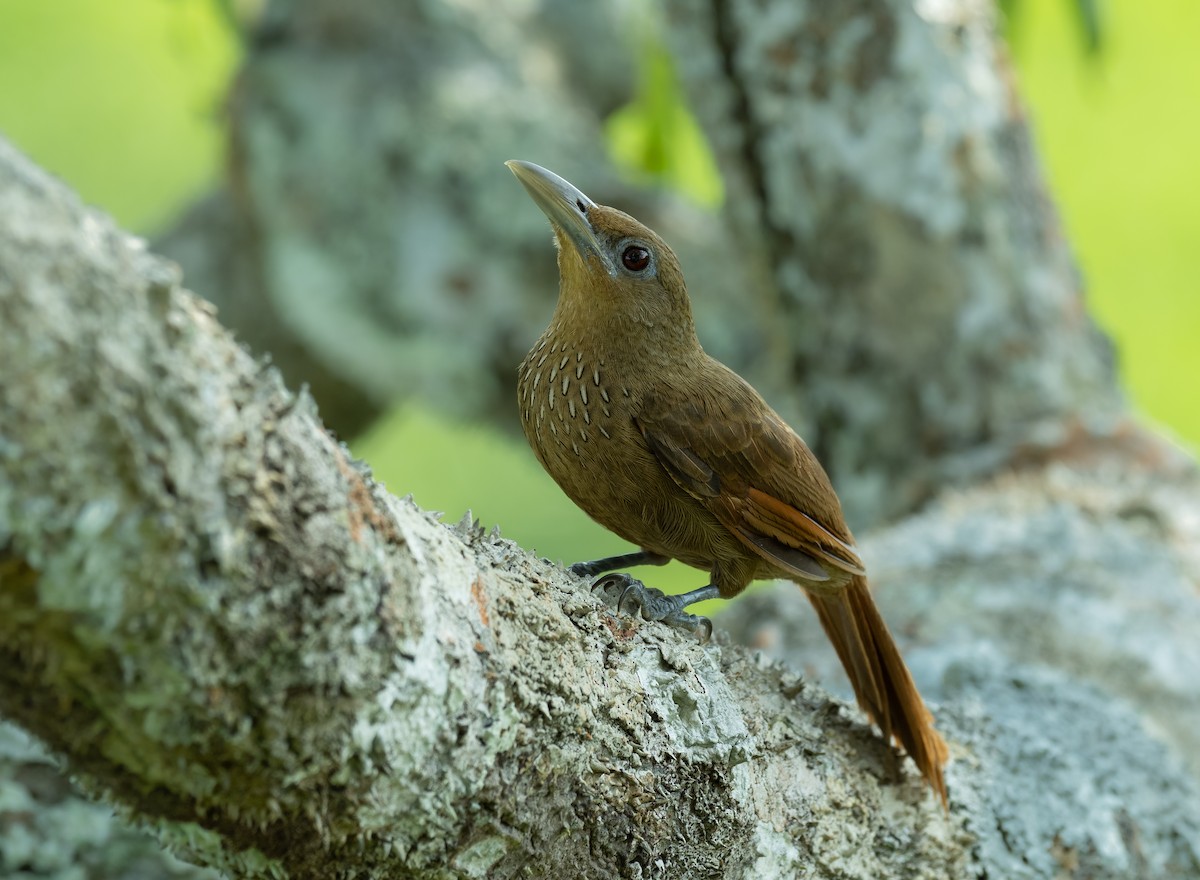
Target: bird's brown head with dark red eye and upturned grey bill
615,272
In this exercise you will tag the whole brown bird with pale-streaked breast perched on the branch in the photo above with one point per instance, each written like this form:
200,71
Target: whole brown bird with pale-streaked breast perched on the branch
673,451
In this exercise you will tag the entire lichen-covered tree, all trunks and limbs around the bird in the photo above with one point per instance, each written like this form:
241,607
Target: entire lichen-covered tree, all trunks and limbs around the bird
226,628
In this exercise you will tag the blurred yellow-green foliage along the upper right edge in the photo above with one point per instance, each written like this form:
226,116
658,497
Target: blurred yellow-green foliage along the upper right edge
1120,136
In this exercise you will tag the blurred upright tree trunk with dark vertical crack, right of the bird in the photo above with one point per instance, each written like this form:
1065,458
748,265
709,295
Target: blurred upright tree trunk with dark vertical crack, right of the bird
920,295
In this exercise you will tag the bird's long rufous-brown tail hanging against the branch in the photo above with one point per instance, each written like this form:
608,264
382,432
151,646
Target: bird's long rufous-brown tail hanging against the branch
881,680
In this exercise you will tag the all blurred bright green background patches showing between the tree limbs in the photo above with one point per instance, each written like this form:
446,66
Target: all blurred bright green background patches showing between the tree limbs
125,103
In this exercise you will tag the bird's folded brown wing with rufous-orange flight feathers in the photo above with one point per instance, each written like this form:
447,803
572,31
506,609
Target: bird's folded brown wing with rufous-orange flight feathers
728,450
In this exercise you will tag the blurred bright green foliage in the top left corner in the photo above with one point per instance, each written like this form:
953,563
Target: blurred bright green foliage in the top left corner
121,99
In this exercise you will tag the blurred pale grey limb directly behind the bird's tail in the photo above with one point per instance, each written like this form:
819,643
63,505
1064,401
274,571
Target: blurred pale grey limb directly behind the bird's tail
1089,566
